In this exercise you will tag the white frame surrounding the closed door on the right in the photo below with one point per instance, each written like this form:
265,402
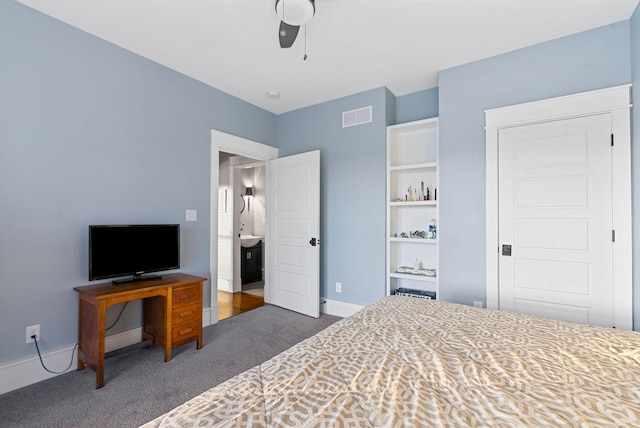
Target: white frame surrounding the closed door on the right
616,102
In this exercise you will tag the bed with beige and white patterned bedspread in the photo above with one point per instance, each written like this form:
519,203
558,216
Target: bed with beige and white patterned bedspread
406,362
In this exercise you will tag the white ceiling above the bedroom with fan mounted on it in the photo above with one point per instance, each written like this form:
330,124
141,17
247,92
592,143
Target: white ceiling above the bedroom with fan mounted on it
352,45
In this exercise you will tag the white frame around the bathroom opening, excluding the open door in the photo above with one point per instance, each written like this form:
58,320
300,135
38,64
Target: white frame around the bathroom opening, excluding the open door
228,143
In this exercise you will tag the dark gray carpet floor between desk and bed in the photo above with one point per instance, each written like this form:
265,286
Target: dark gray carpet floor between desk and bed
140,386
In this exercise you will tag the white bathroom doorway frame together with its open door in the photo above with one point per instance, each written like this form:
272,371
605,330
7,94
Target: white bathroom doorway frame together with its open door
292,217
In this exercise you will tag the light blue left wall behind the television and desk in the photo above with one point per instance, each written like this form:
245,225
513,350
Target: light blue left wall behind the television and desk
91,133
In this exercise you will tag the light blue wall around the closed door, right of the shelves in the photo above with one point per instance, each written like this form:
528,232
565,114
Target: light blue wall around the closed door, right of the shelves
590,60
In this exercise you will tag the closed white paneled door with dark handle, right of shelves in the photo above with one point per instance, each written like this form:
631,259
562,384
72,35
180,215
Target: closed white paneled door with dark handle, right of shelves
555,213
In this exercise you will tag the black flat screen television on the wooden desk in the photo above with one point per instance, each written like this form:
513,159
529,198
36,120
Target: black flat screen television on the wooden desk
133,249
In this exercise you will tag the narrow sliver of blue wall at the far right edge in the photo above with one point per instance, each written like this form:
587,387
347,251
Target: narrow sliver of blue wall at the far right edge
635,159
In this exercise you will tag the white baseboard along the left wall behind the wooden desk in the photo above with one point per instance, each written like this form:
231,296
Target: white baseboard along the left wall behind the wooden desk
20,373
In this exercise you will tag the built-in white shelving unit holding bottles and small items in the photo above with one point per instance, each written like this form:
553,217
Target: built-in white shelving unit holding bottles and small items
412,206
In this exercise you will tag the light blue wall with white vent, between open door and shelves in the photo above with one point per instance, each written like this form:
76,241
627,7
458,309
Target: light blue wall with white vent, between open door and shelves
352,168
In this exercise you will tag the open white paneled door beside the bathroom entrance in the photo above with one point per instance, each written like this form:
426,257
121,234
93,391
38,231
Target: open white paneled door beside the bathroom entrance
295,225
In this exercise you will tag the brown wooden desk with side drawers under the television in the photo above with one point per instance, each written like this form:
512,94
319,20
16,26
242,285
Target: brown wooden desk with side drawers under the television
172,313
